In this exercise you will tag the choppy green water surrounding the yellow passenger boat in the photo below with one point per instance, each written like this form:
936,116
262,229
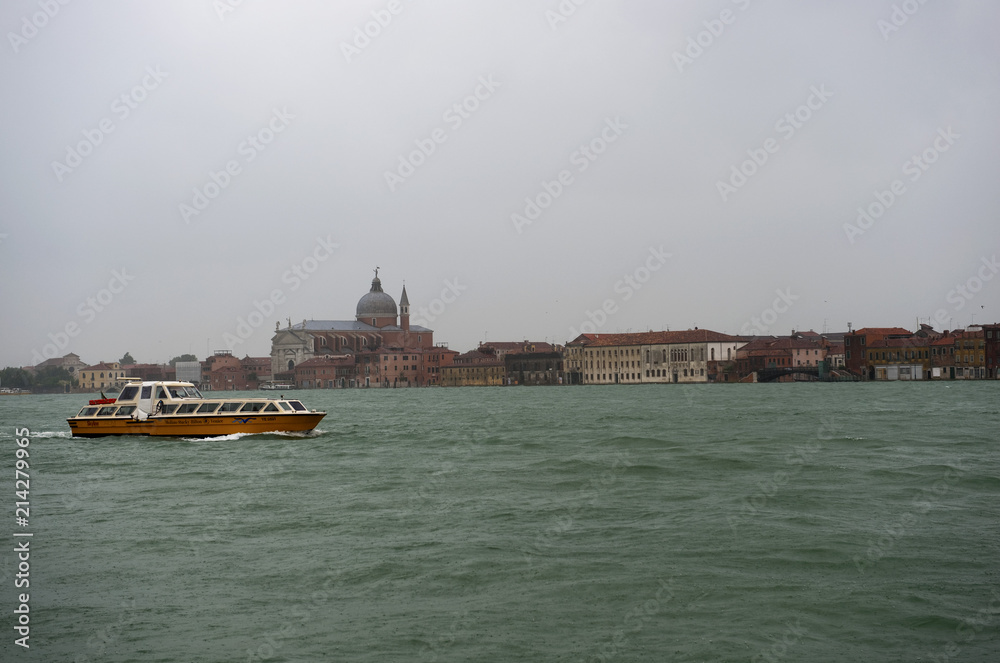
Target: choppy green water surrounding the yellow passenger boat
802,522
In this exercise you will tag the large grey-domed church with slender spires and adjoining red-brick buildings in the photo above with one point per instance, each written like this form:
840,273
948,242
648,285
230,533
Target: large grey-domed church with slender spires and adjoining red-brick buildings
375,340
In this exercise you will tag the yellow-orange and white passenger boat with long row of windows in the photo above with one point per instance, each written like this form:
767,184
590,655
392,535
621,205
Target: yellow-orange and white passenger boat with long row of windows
178,409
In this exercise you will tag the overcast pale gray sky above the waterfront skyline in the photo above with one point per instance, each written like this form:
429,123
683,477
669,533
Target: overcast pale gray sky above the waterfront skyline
531,169
